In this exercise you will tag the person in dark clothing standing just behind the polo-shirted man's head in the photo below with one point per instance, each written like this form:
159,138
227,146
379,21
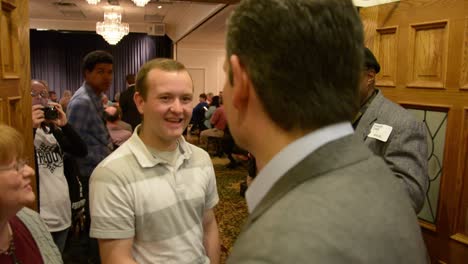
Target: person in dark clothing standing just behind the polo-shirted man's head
130,113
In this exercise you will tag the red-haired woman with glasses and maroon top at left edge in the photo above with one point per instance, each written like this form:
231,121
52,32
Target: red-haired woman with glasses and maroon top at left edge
23,235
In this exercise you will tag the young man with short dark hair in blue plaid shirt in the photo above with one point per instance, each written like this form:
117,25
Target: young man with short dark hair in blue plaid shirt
85,114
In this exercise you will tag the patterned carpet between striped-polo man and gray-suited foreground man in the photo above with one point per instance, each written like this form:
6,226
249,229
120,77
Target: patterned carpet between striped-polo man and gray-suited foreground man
231,210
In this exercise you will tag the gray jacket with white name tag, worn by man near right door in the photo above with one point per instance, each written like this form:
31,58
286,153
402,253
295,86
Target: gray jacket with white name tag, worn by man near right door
405,151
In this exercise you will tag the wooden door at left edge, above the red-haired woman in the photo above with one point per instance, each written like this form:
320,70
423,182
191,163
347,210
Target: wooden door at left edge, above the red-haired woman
15,74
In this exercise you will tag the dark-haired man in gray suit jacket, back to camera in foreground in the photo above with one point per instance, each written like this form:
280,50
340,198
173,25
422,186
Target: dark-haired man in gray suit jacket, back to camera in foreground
293,69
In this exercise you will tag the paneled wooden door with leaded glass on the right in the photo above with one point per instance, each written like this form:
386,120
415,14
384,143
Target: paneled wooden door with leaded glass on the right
422,46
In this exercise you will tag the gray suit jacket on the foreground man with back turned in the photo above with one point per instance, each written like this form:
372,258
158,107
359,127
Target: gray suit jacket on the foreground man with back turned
341,204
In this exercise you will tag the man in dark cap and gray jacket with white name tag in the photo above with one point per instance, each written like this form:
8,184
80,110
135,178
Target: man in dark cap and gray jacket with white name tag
403,145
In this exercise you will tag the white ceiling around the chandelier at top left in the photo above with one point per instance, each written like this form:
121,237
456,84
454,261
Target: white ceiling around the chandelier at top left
180,17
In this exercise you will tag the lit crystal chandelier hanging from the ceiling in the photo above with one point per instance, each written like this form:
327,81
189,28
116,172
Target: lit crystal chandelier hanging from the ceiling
111,29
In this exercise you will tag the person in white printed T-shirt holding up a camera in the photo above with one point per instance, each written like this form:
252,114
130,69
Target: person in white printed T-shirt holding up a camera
52,137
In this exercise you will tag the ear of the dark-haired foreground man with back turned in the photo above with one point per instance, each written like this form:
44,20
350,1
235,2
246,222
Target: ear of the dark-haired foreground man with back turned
241,83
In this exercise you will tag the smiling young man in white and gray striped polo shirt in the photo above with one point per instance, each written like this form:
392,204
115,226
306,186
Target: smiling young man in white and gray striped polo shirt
152,199
